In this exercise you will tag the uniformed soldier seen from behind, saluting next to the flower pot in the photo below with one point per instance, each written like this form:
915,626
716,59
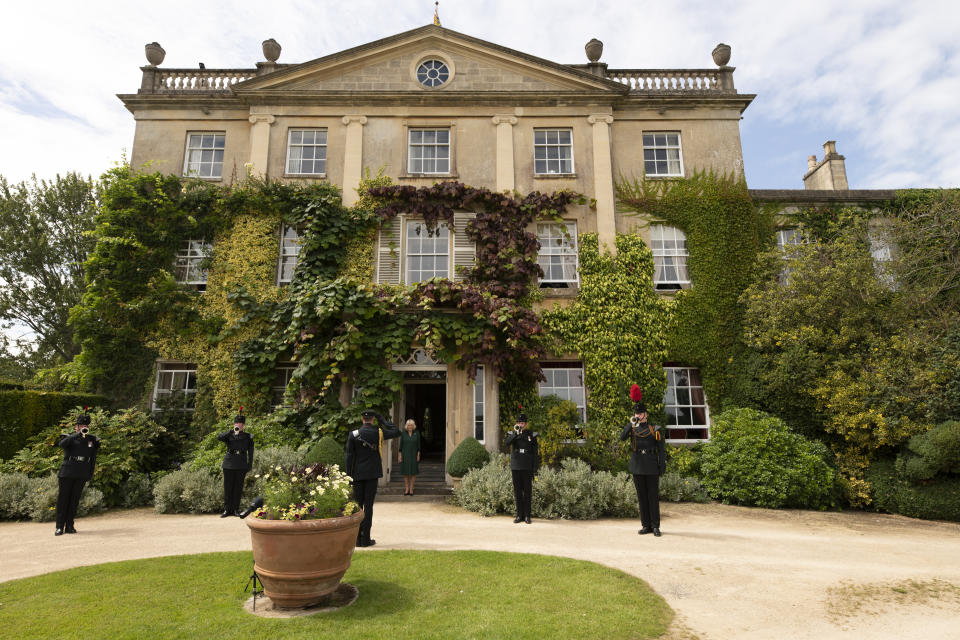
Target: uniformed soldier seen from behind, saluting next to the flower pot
365,466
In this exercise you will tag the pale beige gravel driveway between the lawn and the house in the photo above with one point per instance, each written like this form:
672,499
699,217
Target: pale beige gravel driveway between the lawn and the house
729,572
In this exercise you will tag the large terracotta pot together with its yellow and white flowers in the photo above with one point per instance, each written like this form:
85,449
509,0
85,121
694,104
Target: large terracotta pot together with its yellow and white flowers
304,534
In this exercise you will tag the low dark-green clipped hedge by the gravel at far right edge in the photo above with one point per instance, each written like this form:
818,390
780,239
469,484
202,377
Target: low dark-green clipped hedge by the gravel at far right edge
931,500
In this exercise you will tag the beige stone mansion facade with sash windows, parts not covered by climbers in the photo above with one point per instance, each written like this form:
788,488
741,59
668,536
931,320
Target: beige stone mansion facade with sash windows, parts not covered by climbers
432,104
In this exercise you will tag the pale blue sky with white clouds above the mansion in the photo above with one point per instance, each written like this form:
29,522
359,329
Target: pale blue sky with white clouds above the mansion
880,77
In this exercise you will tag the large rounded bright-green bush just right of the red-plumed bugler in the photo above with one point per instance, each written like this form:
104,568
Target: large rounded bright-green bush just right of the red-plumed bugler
754,459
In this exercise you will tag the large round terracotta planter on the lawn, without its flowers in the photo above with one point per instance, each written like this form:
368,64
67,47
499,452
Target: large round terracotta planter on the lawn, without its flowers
301,562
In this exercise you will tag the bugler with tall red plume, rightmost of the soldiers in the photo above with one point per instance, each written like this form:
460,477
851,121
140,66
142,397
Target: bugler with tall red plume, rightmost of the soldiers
648,461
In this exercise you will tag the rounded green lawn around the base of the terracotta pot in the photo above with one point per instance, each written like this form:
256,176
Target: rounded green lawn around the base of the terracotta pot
403,594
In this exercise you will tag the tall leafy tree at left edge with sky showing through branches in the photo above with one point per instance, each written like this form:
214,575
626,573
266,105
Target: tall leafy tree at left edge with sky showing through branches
43,244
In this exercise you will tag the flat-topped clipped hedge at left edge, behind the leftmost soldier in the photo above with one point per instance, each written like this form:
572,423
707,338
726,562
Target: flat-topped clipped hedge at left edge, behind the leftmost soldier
24,413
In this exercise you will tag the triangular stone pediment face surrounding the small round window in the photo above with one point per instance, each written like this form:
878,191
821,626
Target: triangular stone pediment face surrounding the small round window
390,66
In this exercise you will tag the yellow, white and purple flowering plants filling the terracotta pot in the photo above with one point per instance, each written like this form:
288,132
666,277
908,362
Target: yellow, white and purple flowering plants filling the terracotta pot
305,493
